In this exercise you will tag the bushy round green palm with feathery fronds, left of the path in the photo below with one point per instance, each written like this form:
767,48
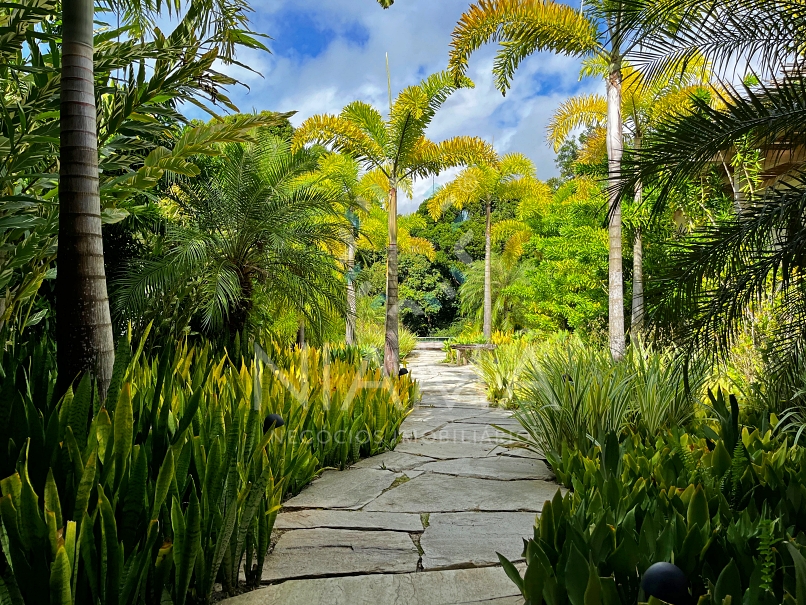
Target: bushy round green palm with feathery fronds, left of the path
254,227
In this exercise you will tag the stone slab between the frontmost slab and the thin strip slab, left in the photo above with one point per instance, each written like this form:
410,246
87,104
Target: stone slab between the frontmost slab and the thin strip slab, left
316,553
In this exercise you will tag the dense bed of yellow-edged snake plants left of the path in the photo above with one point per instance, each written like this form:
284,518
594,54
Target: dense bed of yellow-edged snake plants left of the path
173,483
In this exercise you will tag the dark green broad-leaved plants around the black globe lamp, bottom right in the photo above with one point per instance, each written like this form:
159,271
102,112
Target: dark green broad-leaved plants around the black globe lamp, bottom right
727,507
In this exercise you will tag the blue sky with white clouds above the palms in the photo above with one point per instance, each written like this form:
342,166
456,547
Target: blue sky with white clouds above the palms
327,53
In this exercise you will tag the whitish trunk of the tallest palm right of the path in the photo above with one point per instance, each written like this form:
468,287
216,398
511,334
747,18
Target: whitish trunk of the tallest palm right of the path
615,270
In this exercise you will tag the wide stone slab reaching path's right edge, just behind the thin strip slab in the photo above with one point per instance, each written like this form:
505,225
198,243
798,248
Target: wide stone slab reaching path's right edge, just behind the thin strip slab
443,493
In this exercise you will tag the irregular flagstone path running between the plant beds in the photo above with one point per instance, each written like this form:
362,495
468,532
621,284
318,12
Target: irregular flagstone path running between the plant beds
420,525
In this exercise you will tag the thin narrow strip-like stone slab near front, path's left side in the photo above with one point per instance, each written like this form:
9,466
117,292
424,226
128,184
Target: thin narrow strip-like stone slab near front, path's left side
342,519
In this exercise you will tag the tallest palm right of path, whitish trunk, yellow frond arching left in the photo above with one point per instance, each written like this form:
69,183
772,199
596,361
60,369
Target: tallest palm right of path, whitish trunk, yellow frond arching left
604,29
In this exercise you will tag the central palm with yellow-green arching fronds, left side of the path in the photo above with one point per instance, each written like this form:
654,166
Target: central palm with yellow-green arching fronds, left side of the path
398,148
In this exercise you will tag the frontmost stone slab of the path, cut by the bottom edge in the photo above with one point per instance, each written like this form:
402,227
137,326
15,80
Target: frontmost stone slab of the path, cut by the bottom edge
455,587
